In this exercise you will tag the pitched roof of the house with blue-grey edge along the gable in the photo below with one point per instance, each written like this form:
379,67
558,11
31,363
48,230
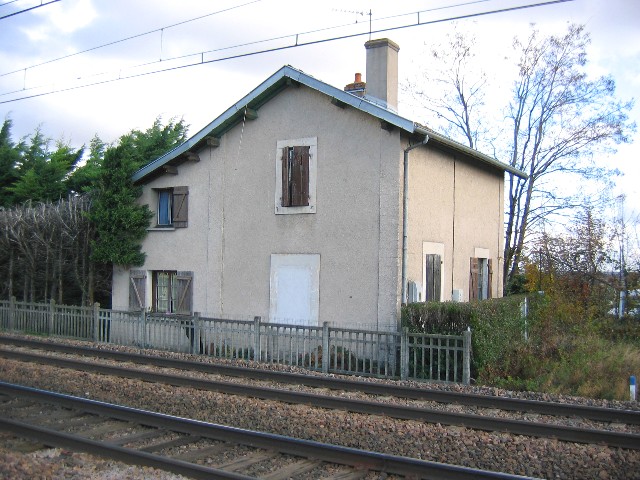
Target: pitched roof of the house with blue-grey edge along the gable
284,78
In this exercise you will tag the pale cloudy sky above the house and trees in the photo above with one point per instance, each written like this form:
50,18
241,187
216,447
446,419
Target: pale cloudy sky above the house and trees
79,68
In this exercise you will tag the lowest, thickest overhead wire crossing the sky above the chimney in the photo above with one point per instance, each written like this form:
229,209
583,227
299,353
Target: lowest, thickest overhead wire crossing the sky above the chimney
296,44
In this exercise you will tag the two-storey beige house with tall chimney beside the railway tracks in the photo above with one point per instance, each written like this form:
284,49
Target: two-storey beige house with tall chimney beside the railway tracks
305,203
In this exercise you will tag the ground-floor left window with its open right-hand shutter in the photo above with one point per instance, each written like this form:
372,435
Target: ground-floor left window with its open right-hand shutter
172,292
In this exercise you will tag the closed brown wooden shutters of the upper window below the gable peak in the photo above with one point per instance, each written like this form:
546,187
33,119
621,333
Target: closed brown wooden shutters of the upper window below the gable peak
295,176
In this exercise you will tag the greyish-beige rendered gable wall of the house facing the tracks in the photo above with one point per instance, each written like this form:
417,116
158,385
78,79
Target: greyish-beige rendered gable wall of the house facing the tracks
233,229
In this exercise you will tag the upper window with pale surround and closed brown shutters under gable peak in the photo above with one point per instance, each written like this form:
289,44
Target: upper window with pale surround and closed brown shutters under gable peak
296,166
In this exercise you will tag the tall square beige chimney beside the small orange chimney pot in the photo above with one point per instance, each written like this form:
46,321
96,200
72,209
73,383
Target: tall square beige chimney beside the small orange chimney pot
382,72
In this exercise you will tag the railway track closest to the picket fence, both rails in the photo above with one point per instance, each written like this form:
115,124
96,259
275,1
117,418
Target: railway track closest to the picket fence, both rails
599,436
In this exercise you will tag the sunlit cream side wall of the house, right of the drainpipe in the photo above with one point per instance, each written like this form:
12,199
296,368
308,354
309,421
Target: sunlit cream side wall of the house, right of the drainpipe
459,205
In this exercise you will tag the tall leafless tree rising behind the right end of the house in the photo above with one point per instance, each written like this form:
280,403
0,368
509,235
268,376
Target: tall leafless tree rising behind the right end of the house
557,121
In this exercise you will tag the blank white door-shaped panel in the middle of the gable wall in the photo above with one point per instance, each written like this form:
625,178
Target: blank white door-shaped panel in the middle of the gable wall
295,288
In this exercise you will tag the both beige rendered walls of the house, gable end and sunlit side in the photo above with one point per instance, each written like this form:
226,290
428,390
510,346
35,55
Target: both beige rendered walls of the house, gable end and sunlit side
233,229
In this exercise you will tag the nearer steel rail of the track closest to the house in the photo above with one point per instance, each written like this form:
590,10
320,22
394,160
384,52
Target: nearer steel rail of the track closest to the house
479,422
